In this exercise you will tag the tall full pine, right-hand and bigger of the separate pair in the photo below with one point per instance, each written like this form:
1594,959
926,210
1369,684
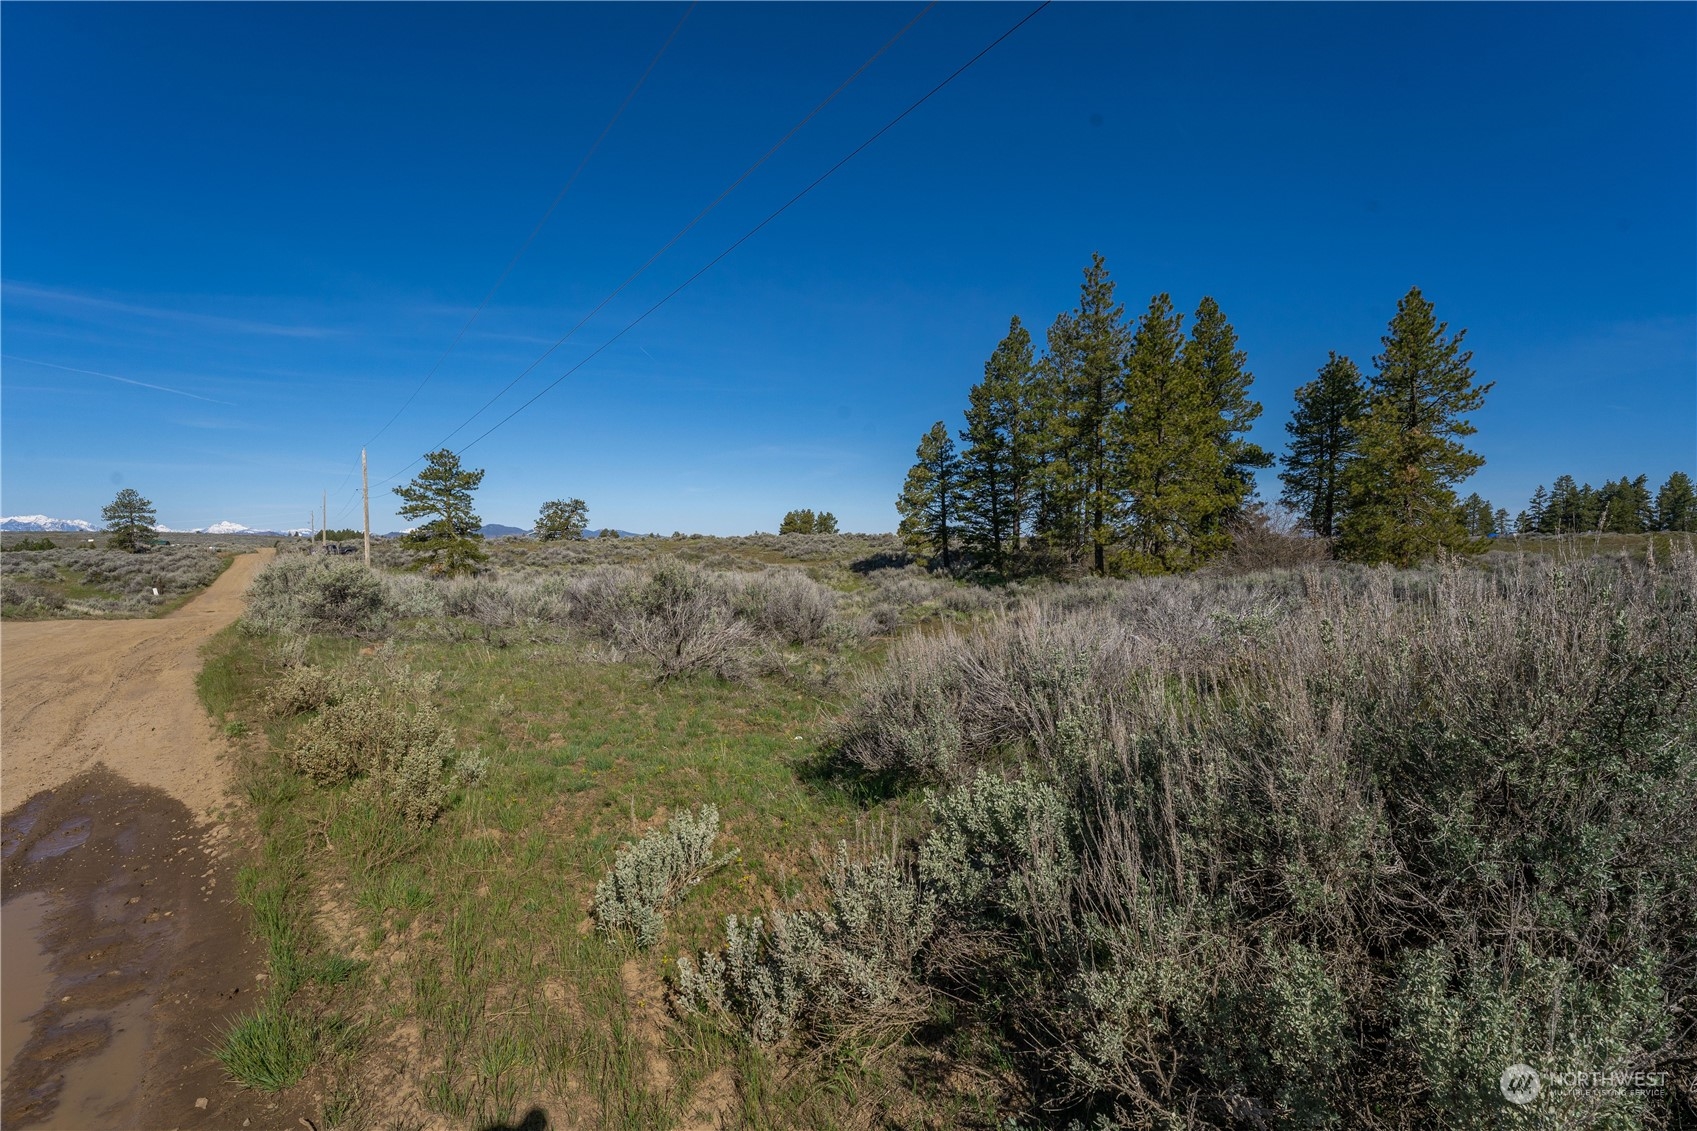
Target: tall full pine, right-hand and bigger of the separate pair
1401,505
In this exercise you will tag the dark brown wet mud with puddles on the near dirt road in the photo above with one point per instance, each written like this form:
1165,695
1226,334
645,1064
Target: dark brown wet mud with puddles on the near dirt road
126,957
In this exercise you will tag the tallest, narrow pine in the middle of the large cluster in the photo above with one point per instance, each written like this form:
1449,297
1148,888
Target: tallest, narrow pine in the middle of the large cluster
1085,363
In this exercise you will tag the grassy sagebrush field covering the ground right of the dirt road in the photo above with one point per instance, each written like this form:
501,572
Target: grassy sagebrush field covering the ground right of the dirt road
790,833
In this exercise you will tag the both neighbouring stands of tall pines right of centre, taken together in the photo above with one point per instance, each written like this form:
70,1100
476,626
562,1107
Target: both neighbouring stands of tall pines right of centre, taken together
1124,446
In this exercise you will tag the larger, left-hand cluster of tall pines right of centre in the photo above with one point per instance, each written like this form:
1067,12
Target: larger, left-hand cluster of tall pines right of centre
1119,447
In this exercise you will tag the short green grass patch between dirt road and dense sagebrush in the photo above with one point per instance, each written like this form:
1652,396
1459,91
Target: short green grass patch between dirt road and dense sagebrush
478,928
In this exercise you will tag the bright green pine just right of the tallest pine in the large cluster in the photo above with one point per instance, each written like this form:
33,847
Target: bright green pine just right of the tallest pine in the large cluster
1175,475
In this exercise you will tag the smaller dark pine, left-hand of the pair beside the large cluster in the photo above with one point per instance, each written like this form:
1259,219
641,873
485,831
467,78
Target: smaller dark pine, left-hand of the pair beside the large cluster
1323,444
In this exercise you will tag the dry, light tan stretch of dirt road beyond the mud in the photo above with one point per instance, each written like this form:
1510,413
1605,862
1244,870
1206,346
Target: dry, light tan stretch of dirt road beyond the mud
116,692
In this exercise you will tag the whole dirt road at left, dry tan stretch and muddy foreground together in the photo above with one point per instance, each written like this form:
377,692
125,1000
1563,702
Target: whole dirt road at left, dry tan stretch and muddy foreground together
126,954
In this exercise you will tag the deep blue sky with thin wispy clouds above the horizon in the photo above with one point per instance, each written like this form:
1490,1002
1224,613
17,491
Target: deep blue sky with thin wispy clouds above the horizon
238,237
